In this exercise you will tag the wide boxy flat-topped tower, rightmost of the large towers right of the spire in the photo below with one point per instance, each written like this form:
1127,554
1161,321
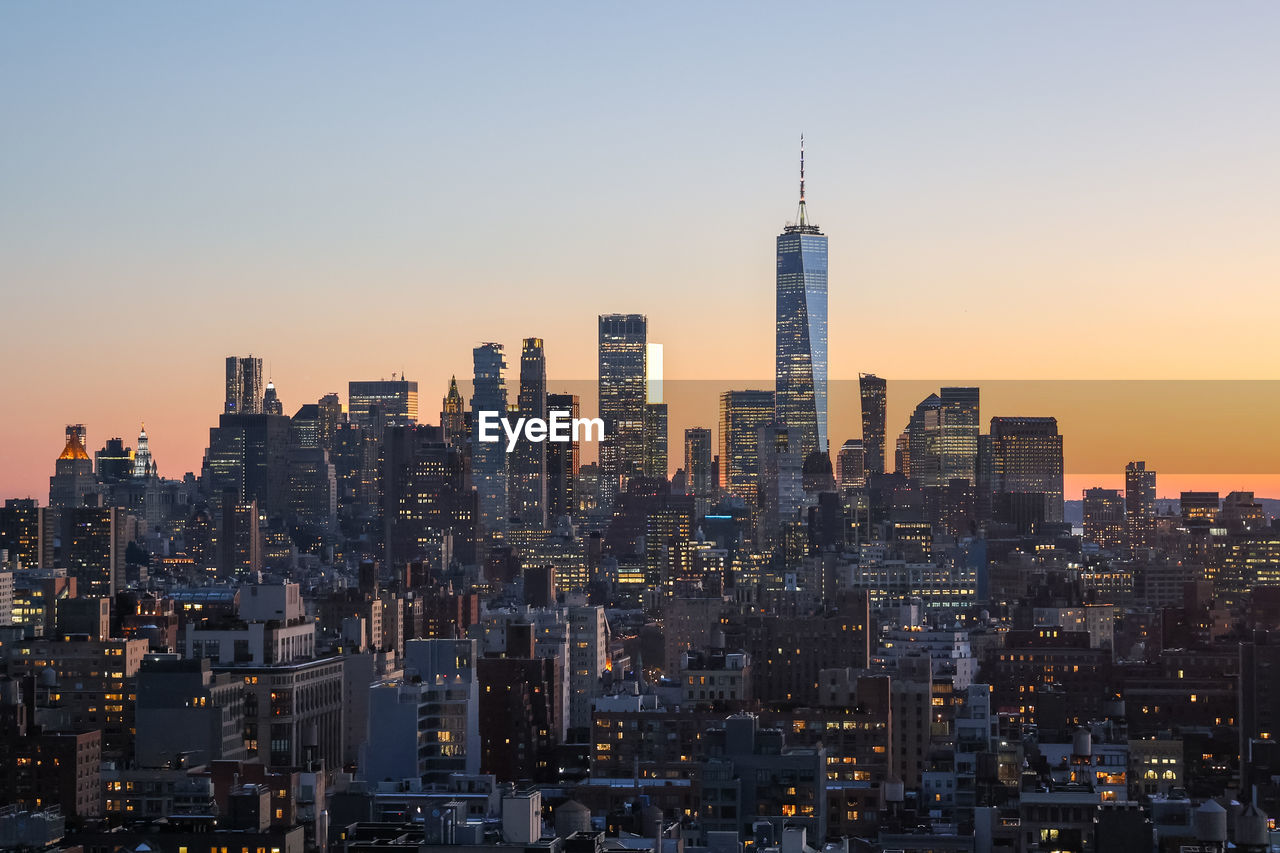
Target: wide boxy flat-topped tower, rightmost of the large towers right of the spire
1027,469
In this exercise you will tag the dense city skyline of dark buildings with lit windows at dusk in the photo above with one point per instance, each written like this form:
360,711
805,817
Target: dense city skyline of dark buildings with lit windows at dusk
365,627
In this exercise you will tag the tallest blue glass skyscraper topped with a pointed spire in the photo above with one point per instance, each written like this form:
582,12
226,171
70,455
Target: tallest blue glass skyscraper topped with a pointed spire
802,329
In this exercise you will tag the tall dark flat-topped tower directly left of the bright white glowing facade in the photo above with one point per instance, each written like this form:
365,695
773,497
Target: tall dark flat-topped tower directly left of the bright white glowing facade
624,394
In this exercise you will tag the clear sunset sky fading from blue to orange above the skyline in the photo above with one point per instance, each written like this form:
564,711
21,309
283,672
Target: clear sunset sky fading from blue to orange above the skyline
1012,191
